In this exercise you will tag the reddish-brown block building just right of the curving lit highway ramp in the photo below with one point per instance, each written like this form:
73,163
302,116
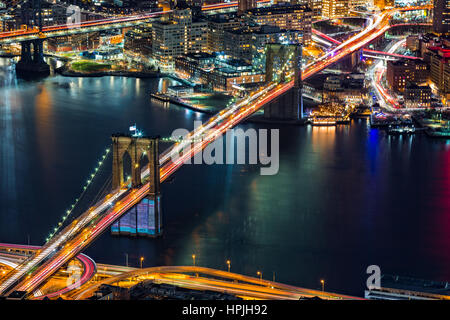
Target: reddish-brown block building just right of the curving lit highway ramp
399,73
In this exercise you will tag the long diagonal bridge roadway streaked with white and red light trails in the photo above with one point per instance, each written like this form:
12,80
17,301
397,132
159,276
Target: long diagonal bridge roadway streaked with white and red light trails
85,229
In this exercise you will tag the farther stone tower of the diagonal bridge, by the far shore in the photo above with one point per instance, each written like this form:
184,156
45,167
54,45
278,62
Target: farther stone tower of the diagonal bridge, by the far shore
281,59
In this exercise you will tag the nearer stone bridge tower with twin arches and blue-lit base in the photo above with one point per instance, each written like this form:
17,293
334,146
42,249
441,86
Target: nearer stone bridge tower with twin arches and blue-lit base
145,219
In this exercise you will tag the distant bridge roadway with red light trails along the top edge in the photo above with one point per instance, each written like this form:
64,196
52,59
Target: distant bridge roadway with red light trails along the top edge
97,25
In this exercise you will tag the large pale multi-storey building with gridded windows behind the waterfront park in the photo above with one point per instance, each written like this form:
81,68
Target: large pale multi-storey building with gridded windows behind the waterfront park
176,35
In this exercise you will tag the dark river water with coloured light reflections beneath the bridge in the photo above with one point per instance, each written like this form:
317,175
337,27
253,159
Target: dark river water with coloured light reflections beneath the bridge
344,198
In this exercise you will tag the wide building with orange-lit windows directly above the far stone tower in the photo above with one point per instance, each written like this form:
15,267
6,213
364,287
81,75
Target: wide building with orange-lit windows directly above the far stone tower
288,17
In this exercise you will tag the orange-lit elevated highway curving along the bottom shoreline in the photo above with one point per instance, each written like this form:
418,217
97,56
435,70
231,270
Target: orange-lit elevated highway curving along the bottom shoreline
244,286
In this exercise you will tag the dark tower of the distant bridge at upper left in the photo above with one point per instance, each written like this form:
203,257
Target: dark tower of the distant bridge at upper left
32,55
